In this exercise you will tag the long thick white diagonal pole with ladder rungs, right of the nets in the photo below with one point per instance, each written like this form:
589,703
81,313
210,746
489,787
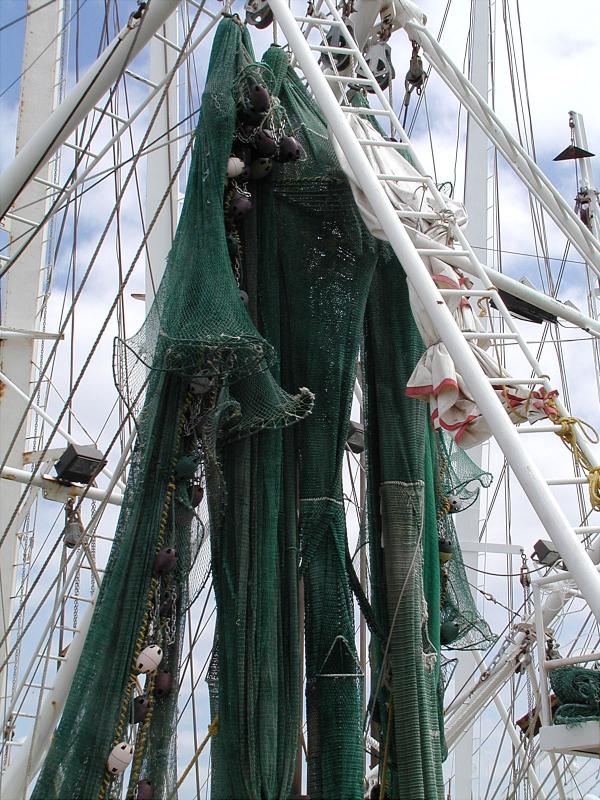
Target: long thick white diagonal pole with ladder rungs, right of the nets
527,473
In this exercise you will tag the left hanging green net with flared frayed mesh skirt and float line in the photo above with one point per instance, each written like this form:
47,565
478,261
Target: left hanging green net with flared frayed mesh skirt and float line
198,326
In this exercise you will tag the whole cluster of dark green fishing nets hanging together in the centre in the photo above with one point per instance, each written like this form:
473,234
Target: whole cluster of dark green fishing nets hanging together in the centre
215,383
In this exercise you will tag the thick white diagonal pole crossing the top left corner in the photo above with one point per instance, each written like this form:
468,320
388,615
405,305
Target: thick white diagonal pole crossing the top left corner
79,102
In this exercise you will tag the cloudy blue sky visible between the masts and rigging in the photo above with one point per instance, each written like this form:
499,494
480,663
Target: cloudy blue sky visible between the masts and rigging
561,52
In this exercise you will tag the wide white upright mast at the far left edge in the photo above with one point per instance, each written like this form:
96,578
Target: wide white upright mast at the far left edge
24,291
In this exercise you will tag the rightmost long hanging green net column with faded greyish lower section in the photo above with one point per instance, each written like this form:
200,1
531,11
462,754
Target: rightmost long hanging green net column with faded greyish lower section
404,562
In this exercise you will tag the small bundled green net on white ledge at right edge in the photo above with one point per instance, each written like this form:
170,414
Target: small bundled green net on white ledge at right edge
578,692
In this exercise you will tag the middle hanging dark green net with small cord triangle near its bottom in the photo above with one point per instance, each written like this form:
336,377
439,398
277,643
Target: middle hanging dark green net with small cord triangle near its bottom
316,262
